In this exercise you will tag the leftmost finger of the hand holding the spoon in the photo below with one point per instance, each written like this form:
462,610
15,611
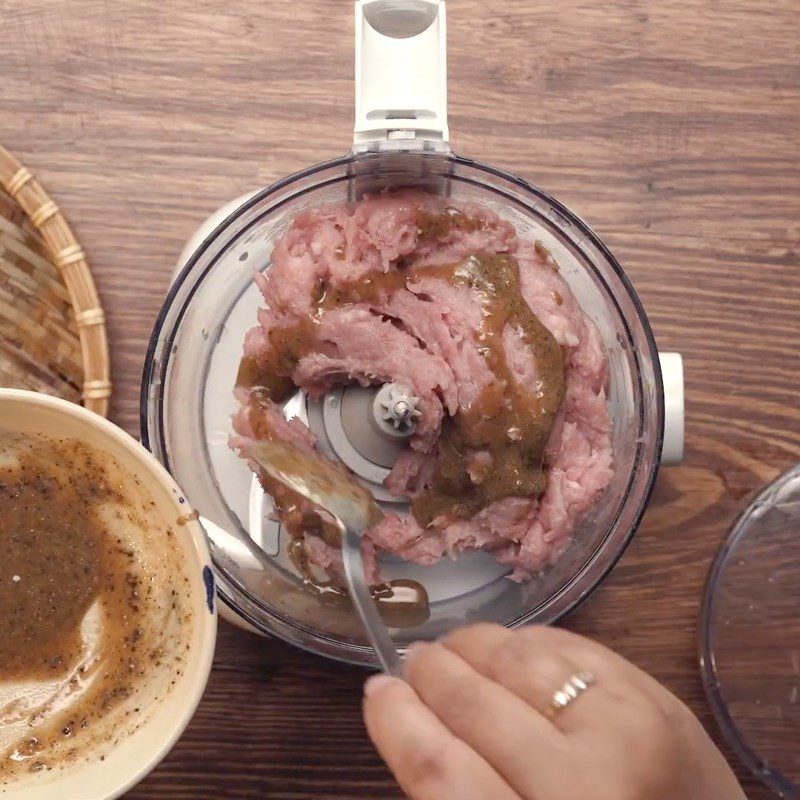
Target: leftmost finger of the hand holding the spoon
429,762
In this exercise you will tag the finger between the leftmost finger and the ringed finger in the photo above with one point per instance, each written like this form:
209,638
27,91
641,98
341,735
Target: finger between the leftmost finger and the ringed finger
492,720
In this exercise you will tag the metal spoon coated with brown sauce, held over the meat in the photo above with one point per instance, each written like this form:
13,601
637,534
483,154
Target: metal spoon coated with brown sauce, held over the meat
315,477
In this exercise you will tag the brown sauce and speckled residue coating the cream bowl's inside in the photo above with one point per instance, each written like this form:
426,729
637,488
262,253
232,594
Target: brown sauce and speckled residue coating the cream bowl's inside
85,624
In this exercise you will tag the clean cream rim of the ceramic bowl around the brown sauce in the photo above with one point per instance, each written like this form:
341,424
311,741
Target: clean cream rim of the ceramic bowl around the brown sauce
128,761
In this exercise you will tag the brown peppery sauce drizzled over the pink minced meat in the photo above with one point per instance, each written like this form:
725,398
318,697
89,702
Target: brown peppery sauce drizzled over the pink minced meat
511,423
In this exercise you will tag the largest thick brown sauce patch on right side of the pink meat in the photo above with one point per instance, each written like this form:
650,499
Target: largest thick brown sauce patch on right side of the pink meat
511,422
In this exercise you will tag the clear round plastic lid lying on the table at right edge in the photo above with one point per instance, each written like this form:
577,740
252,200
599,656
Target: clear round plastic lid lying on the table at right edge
750,636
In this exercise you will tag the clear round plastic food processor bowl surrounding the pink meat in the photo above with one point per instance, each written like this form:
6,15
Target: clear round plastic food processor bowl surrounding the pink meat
187,400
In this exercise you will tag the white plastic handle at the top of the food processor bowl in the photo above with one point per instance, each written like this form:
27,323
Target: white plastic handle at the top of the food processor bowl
401,71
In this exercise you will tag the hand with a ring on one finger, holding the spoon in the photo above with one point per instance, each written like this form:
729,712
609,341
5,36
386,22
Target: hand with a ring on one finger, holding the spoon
475,722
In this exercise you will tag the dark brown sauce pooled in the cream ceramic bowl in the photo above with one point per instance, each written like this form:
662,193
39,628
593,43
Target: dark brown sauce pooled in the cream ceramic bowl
53,554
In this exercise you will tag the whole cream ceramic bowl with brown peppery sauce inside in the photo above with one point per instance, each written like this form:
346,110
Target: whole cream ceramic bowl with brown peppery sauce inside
107,614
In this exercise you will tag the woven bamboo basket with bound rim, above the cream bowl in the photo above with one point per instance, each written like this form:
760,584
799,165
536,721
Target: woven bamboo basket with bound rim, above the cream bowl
52,327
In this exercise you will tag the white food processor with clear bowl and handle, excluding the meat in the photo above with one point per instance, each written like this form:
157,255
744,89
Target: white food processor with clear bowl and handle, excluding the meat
400,139
